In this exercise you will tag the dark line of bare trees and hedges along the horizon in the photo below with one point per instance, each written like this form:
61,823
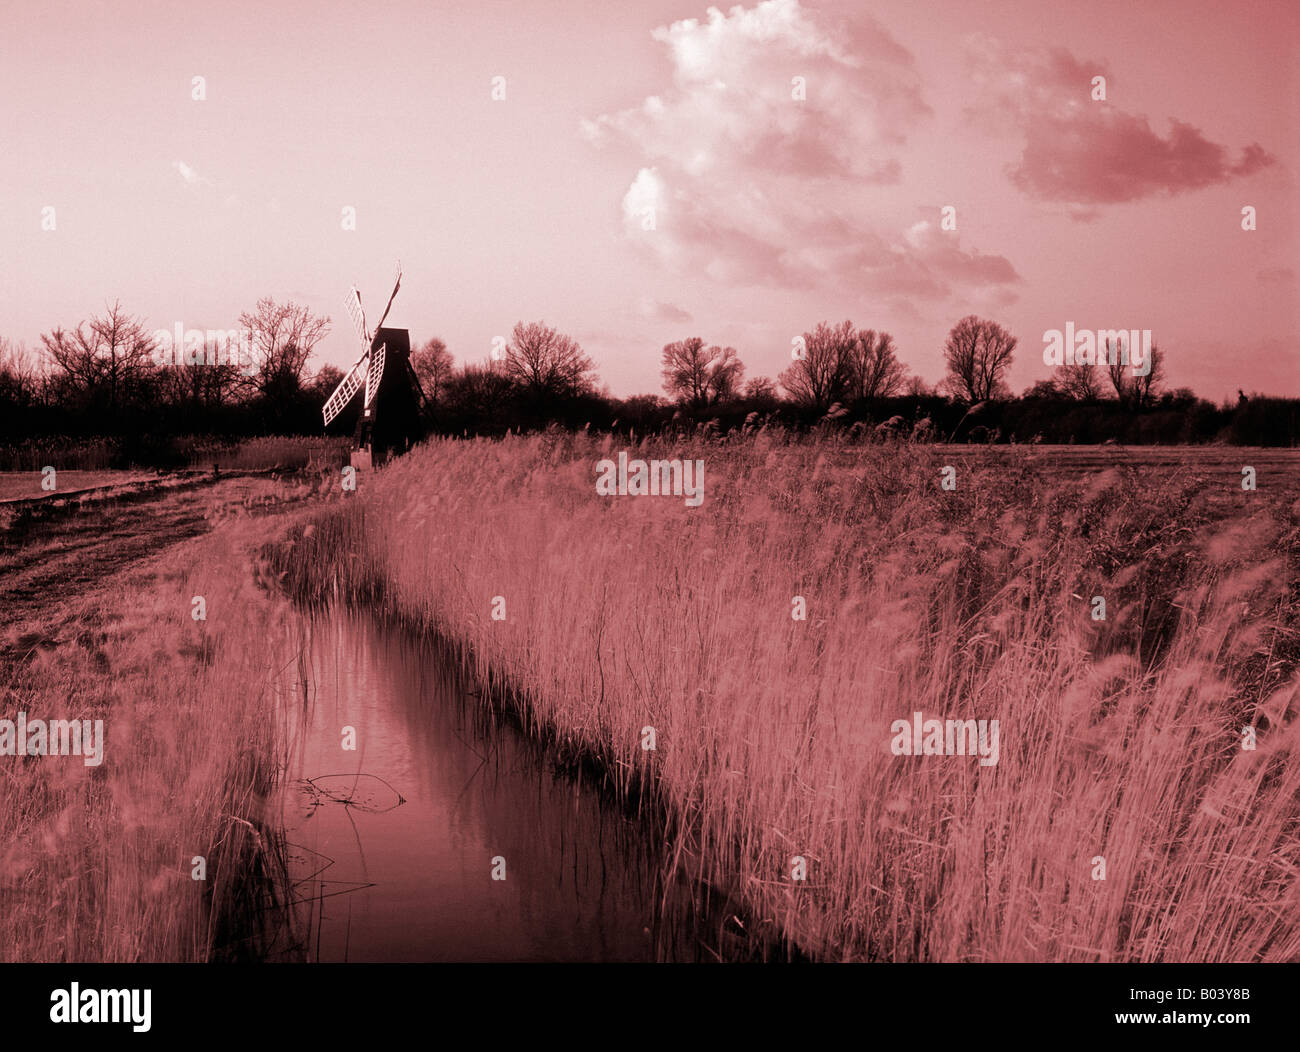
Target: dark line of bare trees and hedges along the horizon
105,378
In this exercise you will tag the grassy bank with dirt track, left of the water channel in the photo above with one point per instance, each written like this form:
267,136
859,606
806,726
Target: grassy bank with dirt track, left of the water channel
97,861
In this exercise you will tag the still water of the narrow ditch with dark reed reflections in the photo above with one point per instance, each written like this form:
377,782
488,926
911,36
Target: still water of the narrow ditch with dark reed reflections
395,843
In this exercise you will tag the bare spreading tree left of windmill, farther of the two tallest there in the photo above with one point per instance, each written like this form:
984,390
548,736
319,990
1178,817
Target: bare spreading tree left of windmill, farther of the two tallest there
106,362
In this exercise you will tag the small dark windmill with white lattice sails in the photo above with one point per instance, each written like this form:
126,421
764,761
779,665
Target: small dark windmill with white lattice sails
391,413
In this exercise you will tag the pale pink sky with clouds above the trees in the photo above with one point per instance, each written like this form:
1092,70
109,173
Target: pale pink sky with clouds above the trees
655,171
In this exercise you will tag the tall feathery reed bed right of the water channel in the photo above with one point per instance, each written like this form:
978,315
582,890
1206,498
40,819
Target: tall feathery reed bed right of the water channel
1120,739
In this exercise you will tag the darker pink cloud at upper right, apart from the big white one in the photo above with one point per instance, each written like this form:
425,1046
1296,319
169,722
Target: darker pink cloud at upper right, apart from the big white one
1084,153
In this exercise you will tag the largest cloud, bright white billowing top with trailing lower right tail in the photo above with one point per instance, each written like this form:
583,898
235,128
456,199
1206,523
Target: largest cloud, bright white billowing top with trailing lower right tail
756,163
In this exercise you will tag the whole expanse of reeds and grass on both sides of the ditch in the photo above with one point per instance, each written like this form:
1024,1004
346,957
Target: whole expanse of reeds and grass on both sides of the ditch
1120,746
